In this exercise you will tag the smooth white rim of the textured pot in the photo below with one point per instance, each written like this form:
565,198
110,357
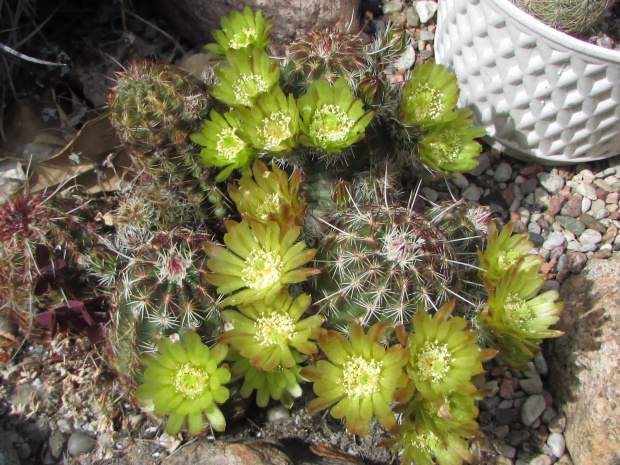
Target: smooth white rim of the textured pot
535,25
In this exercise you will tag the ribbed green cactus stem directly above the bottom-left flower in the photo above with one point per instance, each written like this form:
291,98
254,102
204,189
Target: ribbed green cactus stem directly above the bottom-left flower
161,291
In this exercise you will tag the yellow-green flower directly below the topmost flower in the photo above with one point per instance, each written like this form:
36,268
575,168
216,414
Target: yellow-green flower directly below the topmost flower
246,77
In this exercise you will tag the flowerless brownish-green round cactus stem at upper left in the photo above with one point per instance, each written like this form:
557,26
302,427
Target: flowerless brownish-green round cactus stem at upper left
154,108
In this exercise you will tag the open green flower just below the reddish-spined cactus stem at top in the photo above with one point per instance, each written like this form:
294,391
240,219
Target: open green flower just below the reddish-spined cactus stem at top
333,118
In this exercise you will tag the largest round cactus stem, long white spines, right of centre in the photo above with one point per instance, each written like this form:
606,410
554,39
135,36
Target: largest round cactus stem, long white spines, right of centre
382,264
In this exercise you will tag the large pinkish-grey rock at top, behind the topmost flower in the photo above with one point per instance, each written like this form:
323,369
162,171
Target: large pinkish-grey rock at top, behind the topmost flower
195,19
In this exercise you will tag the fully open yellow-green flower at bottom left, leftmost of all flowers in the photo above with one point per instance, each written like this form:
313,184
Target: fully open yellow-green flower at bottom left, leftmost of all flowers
185,380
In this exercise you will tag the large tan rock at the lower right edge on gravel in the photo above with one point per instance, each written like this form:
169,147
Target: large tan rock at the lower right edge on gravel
585,363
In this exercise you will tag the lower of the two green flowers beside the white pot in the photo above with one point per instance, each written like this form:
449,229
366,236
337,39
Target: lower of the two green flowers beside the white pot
450,147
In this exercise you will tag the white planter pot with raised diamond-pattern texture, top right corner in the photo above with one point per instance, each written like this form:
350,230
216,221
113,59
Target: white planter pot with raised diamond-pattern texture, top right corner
540,93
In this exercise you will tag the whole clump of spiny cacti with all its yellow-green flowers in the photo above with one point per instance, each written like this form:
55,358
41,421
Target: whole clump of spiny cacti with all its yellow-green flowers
317,261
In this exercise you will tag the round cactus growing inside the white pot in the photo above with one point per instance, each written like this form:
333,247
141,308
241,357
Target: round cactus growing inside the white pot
570,16
